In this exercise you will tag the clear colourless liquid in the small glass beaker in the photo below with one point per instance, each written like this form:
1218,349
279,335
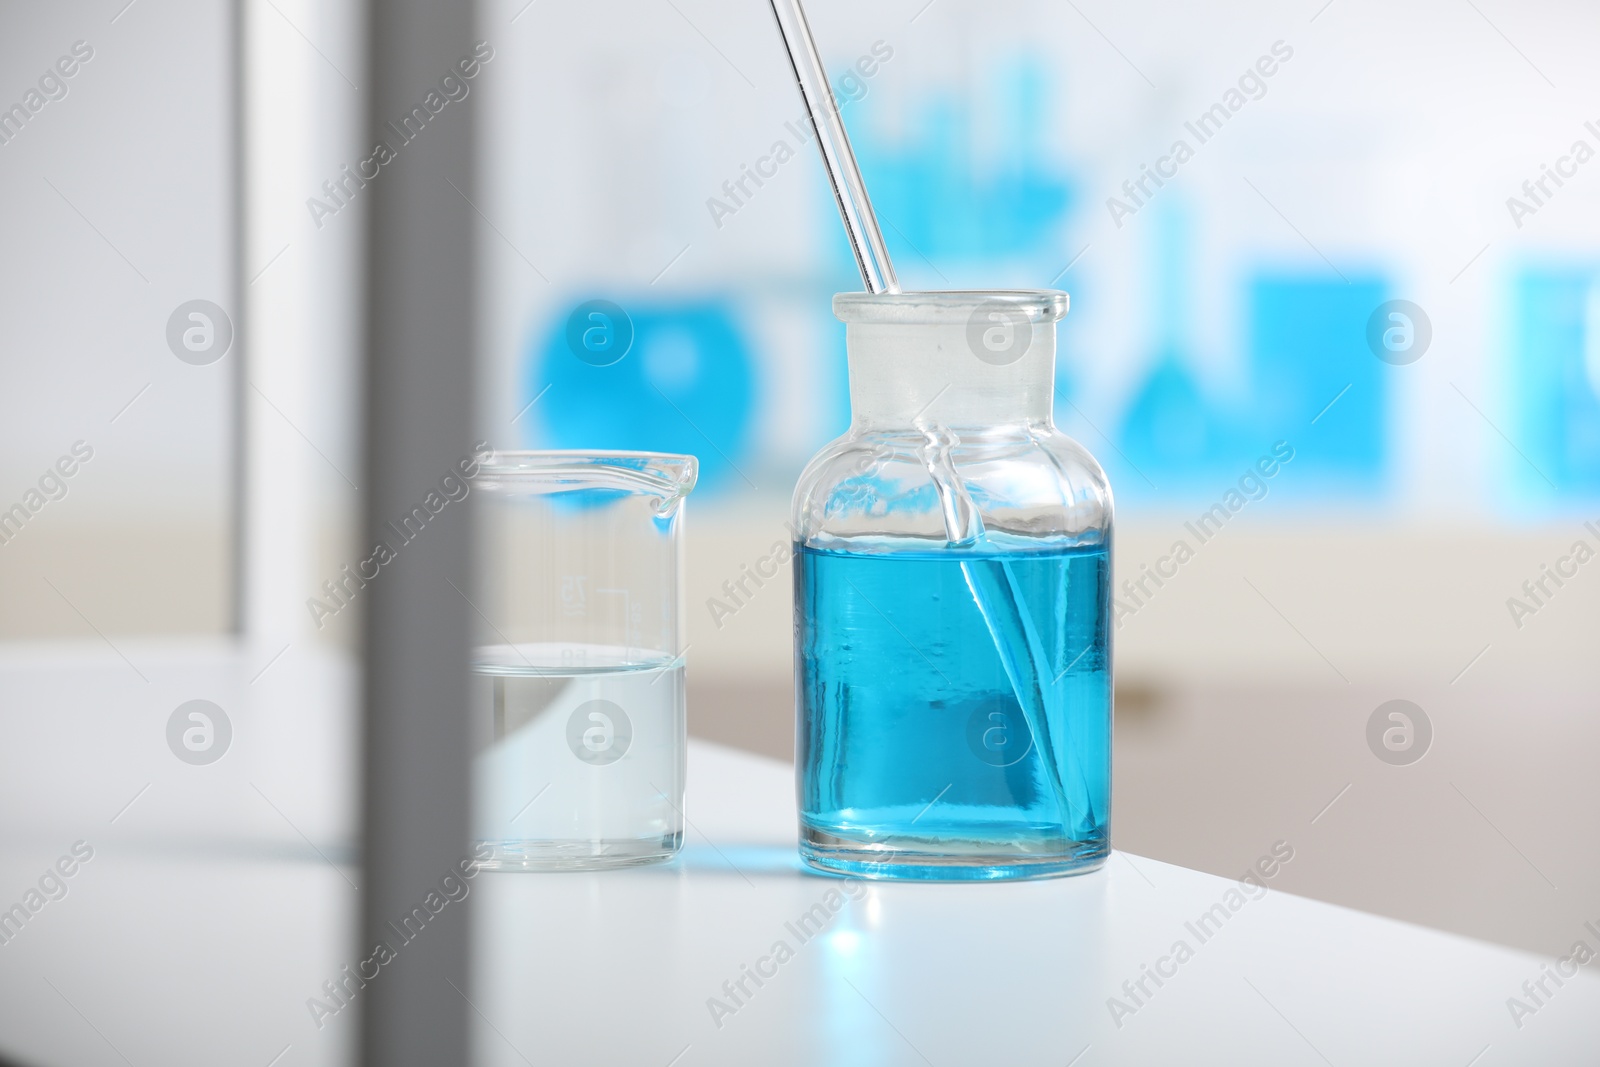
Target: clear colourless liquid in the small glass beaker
583,764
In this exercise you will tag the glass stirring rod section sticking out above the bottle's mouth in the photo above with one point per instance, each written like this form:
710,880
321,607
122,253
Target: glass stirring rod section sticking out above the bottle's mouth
850,193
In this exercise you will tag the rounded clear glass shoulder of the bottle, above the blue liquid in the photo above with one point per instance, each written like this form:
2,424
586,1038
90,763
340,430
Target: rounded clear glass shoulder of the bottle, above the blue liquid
948,486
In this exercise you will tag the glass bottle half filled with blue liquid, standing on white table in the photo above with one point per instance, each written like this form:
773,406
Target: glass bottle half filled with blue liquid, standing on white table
953,586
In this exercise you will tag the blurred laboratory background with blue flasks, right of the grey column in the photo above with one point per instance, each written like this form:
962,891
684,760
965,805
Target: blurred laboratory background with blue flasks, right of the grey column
1238,199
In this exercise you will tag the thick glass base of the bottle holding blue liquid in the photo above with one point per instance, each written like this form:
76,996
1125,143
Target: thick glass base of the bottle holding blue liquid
945,861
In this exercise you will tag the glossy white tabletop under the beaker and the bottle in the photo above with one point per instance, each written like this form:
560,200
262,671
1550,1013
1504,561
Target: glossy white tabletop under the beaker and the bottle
223,898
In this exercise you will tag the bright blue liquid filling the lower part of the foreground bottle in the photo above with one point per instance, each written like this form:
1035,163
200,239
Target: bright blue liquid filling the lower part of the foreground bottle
954,711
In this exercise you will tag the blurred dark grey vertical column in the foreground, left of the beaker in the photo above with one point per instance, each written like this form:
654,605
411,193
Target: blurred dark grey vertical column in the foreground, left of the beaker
418,393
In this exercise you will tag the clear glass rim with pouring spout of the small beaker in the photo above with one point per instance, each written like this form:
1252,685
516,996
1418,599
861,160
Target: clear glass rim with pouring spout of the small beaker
670,476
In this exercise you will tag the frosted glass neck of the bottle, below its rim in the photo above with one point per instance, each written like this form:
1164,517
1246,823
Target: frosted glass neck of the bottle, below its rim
911,377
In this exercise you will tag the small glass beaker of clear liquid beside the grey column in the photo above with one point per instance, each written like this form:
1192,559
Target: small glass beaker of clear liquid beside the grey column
578,663
